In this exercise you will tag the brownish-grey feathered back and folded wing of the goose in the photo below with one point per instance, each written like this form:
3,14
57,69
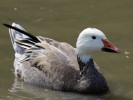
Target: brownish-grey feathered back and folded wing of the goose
53,64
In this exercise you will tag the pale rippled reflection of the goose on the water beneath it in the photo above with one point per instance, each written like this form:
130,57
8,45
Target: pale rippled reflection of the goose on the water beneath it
26,91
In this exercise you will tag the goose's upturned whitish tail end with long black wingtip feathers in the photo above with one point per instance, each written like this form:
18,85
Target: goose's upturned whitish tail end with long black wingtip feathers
21,40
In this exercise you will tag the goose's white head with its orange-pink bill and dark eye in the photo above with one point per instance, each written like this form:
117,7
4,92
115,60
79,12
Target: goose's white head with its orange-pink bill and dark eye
92,40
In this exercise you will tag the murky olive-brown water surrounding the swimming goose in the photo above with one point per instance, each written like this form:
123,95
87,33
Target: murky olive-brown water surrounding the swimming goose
63,20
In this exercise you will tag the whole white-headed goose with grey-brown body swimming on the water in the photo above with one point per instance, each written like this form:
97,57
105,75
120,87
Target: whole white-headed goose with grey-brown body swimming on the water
50,64
